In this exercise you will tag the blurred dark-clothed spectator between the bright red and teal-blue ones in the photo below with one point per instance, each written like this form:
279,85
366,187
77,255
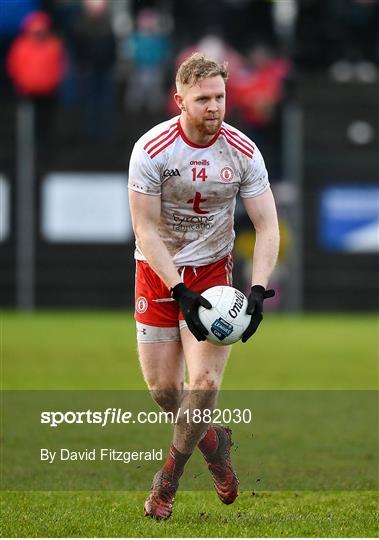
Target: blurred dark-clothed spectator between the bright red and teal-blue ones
95,50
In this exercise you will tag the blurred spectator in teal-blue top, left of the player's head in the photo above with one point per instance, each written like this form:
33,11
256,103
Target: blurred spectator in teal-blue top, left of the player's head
149,50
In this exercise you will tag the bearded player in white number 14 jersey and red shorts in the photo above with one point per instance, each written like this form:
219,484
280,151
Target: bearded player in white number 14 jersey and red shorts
183,181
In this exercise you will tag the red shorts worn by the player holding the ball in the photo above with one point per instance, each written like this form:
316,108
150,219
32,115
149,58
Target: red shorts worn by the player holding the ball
154,305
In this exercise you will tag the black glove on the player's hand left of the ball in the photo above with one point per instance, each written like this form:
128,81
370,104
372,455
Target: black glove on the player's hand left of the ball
189,302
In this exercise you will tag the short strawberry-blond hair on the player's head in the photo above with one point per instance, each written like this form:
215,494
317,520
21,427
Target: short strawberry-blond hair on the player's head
197,68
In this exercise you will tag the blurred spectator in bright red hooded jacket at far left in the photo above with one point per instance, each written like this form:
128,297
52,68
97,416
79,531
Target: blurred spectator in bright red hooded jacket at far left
36,64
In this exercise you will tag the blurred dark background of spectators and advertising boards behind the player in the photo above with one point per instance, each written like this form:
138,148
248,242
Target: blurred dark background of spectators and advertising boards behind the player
81,80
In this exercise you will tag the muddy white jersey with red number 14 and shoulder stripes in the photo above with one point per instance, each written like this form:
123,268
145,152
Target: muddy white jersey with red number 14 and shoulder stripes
198,186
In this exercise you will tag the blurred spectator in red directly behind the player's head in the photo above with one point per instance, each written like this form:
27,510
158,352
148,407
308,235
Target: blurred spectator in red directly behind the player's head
215,47
